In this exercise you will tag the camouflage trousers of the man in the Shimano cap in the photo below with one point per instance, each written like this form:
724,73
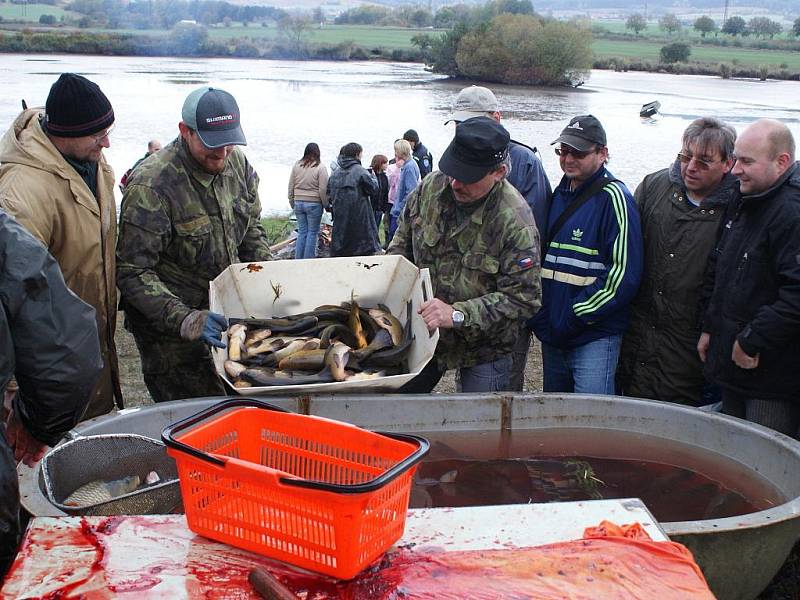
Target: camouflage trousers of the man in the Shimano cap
175,369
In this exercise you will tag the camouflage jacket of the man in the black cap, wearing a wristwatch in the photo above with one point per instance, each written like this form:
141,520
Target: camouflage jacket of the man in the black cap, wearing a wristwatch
486,264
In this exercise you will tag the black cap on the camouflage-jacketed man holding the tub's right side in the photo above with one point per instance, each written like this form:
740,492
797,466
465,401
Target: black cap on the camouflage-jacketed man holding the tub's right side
480,146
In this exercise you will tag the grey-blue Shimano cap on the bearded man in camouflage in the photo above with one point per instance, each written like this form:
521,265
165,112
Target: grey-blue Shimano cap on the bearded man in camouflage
214,115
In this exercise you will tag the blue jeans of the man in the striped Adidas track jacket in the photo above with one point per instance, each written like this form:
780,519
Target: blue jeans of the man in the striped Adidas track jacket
587,369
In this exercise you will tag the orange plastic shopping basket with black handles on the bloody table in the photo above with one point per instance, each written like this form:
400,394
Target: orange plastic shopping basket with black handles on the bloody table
319,494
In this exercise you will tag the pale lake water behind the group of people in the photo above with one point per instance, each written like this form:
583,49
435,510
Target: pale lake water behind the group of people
286,104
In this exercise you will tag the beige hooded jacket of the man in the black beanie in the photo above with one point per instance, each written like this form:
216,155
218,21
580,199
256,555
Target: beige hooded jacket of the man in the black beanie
48,197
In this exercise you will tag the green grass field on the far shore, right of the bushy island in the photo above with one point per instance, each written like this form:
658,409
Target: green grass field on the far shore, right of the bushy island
645,50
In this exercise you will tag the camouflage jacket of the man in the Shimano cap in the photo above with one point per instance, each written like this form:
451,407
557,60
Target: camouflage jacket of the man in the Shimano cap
179,228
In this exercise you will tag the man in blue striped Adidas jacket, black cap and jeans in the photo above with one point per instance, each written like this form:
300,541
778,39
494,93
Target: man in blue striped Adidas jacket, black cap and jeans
591,266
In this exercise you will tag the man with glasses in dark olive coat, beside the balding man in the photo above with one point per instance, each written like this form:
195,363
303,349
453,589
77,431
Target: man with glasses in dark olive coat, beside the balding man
680,208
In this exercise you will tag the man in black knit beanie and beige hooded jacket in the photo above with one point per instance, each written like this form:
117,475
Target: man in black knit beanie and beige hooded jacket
56,182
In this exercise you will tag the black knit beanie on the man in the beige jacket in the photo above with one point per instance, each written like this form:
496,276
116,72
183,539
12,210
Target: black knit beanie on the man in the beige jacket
76,107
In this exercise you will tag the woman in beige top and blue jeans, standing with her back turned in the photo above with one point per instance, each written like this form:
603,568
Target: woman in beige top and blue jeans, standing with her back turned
308,184
